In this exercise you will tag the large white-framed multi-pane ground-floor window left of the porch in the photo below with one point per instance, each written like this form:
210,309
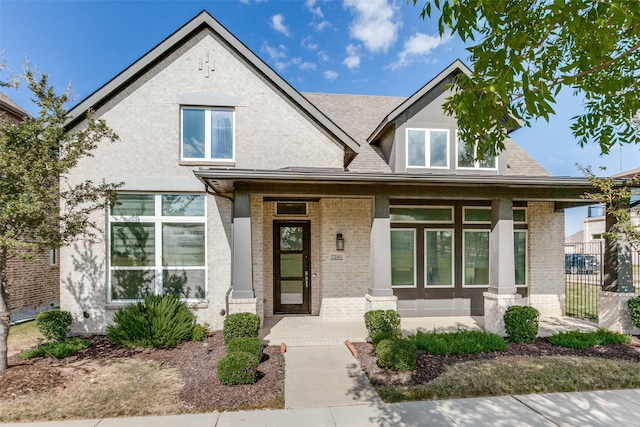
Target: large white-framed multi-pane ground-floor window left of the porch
157,246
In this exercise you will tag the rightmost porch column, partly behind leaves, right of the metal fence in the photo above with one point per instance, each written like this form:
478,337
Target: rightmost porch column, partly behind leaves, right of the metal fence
617,289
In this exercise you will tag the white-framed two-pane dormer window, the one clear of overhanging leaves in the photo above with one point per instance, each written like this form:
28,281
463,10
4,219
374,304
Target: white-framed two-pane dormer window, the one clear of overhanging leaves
428,148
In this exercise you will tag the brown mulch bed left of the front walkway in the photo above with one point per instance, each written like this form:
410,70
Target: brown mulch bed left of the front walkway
201,389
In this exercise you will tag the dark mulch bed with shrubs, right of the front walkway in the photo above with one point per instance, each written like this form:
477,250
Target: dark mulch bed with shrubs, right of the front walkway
430,366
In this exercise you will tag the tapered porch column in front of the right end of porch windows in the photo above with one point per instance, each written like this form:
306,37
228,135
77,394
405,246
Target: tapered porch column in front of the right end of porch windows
502,280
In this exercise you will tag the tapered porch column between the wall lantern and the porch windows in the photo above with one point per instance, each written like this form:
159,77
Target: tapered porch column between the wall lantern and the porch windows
380,295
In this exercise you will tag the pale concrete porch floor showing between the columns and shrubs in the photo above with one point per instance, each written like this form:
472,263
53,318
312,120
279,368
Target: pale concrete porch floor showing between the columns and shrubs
303,331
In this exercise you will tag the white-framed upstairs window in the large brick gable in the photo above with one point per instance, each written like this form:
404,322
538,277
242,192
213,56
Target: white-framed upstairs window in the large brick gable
207,133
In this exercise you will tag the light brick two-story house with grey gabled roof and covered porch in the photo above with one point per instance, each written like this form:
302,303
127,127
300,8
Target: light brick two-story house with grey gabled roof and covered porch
241,194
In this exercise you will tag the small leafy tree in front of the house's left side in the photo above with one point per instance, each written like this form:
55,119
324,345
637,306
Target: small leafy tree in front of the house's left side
39,208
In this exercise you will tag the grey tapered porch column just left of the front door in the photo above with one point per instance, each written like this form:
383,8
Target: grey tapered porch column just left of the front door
242,273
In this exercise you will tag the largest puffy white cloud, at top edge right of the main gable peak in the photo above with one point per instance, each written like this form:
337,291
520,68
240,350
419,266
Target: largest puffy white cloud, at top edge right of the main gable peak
375,23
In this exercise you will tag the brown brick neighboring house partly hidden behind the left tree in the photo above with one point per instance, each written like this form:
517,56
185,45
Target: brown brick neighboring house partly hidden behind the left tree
33,285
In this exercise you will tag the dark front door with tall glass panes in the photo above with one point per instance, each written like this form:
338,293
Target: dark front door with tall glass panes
291,265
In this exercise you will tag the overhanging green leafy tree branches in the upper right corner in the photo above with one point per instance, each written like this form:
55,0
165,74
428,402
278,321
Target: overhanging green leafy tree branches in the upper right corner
528,51
